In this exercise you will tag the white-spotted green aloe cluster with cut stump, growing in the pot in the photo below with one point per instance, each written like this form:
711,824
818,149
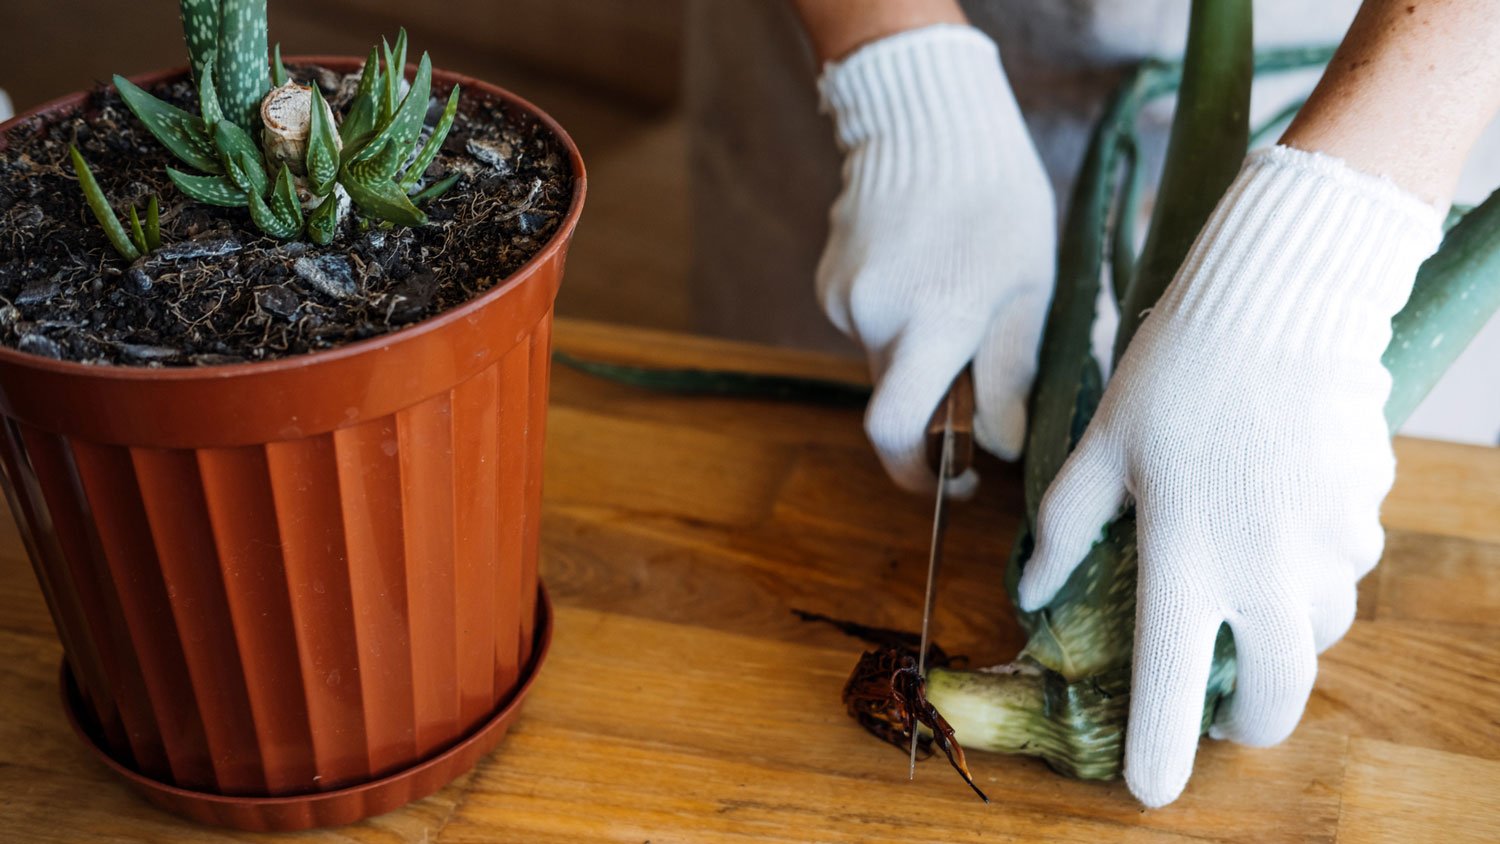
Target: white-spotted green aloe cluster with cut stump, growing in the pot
281,152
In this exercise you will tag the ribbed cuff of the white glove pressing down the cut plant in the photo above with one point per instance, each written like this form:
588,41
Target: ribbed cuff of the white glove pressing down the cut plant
1304,248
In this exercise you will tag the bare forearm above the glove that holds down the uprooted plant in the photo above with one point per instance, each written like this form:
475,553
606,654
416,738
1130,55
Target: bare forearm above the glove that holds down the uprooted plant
1409,92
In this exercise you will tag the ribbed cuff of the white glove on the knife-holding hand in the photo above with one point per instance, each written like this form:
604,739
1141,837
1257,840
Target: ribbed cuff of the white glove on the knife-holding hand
919,100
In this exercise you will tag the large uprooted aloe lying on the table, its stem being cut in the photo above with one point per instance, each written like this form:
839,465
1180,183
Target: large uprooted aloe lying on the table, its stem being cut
1067,695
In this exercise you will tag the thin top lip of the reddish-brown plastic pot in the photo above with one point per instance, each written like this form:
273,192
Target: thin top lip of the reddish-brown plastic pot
218,373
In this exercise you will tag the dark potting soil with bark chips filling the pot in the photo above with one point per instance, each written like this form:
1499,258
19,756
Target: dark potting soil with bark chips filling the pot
220,292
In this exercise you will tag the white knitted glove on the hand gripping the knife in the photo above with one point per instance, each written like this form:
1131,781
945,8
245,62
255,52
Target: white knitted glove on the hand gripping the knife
943,242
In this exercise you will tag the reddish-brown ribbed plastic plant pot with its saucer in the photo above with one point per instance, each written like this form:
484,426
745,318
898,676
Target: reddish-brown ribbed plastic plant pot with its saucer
305,591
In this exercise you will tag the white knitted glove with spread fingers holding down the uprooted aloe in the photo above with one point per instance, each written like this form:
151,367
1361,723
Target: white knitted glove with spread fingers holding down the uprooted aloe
1247,422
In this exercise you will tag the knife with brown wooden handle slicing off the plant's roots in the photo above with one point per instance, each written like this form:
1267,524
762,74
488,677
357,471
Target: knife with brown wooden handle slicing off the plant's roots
950,453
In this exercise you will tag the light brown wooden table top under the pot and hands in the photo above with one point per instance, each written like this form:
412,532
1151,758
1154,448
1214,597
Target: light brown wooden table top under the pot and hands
685,704
